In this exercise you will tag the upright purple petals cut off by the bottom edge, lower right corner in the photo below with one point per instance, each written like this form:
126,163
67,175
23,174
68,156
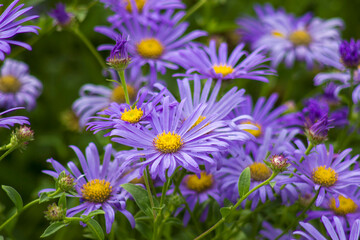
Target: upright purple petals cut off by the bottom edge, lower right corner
336,232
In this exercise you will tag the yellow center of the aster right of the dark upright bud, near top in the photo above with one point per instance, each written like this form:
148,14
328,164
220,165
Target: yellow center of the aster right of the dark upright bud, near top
150,48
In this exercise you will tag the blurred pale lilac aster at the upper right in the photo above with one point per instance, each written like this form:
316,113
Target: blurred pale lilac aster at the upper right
308,39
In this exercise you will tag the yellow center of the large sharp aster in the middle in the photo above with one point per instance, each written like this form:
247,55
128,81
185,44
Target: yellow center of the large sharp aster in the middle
168,142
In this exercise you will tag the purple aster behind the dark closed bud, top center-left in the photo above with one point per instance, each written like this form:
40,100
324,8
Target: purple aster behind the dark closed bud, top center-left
153,45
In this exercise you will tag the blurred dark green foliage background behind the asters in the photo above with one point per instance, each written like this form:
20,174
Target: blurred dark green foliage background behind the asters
63,64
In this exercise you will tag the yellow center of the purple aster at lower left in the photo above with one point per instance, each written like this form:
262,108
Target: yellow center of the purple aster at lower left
96,191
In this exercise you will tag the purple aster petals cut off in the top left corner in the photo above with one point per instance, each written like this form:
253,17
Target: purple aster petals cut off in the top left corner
9,27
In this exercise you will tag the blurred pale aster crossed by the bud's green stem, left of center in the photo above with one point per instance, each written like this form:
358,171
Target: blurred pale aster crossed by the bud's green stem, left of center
95,98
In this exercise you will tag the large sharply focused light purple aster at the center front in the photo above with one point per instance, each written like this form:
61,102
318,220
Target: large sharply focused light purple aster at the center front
170,142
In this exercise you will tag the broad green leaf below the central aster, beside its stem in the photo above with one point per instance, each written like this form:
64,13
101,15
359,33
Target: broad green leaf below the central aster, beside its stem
140,196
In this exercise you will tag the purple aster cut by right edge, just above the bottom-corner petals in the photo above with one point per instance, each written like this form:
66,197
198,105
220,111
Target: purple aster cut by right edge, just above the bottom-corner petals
347,211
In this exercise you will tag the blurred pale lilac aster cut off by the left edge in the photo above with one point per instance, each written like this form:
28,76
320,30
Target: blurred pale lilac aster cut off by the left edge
17,87
